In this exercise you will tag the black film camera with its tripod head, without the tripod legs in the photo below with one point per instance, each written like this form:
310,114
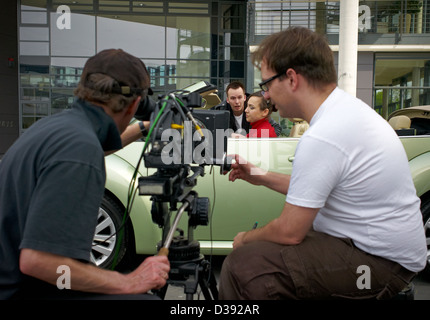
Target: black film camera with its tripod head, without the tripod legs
182,140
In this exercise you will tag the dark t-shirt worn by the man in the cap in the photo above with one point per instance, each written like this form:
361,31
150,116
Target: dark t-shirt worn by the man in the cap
51,185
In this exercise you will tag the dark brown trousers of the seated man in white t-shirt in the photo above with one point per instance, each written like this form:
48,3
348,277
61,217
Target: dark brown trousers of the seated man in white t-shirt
321,267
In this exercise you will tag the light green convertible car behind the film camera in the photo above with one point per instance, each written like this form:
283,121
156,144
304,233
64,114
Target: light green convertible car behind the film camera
234,207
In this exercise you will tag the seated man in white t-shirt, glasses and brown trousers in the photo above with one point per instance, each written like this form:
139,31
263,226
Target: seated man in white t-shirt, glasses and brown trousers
351,224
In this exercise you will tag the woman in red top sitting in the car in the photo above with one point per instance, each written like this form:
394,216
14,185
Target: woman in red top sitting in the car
257,113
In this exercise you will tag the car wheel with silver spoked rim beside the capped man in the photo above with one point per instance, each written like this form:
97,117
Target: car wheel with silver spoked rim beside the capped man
107,235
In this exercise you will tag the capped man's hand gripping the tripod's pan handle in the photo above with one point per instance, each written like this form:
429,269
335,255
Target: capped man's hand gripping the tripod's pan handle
151,274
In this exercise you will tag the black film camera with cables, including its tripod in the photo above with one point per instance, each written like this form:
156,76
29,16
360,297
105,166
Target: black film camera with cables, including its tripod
182,140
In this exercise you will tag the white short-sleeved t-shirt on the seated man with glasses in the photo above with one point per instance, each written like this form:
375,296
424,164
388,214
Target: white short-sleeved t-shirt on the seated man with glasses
351,164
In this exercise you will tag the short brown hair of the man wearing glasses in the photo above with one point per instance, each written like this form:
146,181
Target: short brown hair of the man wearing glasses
301,49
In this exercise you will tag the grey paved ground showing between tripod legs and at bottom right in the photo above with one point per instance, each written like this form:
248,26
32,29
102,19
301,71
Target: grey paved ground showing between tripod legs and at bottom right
422,286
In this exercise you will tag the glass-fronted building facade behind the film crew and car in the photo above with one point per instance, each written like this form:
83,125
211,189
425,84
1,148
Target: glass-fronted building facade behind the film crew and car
46,43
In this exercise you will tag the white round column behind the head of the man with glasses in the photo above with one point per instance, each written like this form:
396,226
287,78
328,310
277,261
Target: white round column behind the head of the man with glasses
348,44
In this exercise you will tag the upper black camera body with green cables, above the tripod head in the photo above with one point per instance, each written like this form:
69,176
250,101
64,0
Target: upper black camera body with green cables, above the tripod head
186,135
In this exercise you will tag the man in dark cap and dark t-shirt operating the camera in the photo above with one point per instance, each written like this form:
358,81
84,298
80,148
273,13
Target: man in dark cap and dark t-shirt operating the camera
51,186
